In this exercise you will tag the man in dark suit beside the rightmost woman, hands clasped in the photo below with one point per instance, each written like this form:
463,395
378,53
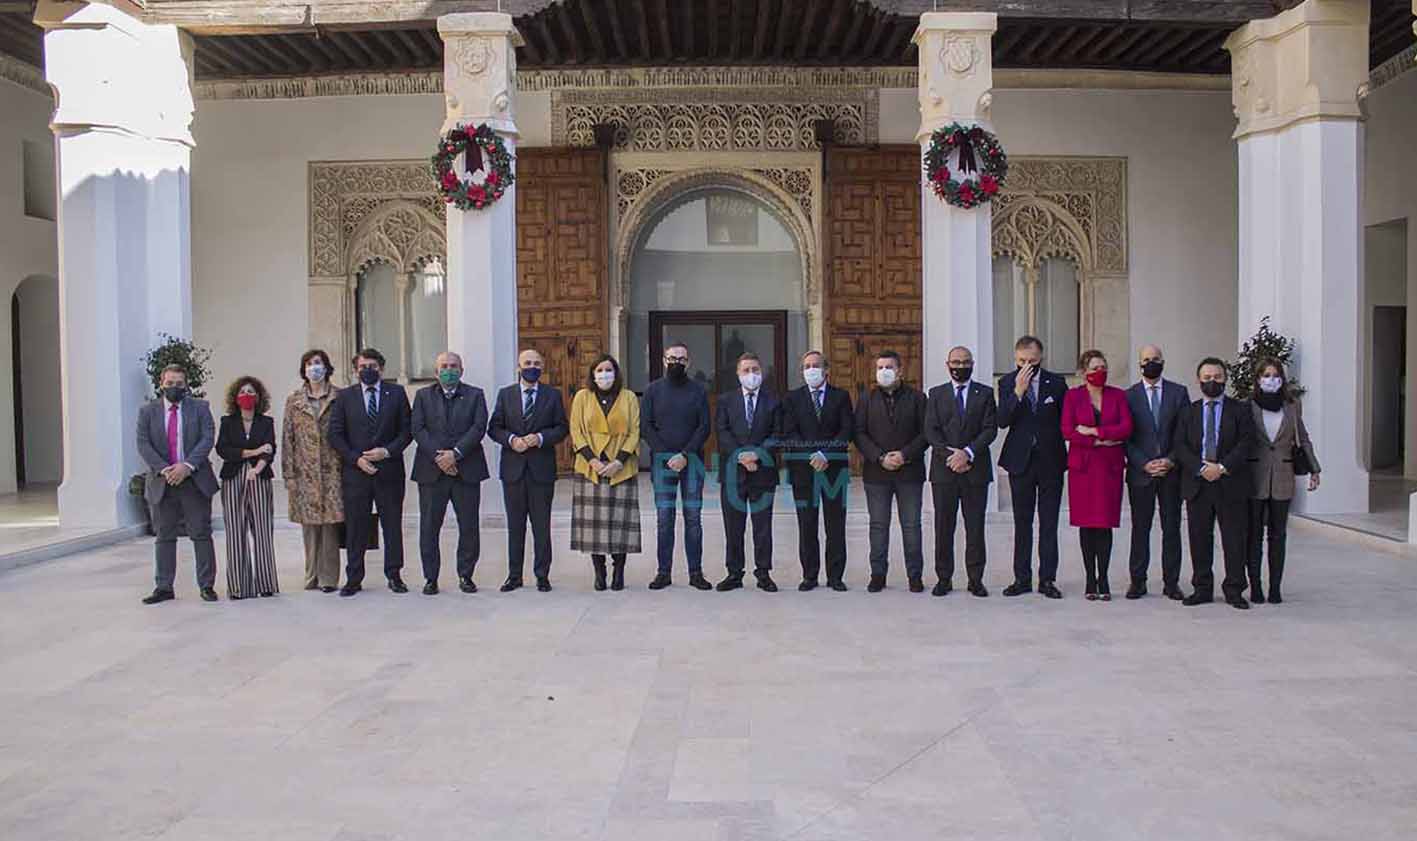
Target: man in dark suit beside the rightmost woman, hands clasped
1214,445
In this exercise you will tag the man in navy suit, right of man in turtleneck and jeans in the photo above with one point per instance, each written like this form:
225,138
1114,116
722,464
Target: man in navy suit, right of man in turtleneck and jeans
747,423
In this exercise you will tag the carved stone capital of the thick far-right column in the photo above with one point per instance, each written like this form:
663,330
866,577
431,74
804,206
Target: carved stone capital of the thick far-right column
1304,64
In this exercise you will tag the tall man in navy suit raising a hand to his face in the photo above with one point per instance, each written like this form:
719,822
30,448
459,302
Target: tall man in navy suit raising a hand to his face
1031,406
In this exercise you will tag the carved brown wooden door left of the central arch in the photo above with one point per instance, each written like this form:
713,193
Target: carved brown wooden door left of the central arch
563,307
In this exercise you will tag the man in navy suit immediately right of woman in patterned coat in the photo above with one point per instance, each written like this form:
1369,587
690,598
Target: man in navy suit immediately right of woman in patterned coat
371,427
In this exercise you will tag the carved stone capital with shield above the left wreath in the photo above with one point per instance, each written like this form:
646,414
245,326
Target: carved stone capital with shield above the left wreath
480,70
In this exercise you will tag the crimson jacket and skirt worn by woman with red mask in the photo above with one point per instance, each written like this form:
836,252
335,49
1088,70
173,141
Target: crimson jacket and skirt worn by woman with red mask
1095,474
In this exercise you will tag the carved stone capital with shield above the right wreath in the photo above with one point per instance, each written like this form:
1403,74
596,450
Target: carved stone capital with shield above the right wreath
956,69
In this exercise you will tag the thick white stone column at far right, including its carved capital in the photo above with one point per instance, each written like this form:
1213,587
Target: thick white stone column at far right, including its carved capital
1300,138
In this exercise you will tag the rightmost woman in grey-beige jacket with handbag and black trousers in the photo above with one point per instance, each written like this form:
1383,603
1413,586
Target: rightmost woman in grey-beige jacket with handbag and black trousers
1280,437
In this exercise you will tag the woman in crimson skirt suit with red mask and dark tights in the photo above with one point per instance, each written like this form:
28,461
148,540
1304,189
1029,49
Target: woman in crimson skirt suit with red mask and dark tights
1096,424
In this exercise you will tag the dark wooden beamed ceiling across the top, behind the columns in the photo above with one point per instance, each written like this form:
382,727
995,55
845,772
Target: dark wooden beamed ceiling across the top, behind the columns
273,39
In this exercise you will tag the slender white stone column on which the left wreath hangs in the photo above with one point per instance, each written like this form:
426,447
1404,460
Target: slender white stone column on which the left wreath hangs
480,86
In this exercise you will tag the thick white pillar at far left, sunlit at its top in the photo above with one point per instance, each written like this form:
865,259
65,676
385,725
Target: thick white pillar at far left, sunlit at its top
124,152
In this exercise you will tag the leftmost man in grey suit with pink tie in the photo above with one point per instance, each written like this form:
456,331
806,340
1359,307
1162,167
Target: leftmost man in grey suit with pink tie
175,440
